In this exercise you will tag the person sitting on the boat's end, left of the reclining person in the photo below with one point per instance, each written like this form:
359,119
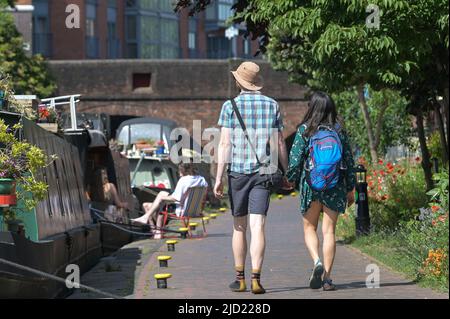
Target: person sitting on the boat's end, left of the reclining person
106,194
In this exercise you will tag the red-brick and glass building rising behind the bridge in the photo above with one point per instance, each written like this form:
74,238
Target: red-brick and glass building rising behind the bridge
134,29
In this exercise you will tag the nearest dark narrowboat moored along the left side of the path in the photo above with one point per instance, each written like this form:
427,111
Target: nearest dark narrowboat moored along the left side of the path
63,229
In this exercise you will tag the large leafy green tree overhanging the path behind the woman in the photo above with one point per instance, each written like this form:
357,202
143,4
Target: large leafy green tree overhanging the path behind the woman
327,44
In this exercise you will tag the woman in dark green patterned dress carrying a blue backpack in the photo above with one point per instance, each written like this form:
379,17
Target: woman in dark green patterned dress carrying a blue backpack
321,164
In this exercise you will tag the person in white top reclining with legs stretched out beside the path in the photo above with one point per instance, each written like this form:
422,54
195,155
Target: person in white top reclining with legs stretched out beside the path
189,178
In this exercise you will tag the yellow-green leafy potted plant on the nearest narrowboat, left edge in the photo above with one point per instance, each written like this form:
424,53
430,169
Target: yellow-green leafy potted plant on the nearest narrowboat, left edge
19,163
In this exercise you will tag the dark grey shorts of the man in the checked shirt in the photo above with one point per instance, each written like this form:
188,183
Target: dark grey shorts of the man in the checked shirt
248,194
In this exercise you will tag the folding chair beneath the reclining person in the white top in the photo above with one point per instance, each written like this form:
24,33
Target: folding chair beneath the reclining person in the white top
194,208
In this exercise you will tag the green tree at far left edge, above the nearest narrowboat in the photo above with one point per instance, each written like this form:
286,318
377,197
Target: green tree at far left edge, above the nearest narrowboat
29,75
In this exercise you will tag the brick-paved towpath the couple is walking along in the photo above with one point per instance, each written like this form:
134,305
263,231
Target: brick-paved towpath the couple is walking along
203,268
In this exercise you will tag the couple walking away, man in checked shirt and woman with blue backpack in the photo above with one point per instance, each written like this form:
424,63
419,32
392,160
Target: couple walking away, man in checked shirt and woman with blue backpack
320,164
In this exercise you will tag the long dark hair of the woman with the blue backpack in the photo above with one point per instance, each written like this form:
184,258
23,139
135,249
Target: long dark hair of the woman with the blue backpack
321,111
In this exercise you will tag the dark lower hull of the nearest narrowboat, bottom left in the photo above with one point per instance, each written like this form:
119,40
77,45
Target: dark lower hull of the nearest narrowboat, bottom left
51,256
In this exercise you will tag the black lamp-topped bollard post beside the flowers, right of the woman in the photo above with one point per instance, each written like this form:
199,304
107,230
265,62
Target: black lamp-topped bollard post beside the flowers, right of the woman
362,221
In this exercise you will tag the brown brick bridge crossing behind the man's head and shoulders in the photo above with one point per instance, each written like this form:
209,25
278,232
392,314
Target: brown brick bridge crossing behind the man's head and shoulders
181,90
